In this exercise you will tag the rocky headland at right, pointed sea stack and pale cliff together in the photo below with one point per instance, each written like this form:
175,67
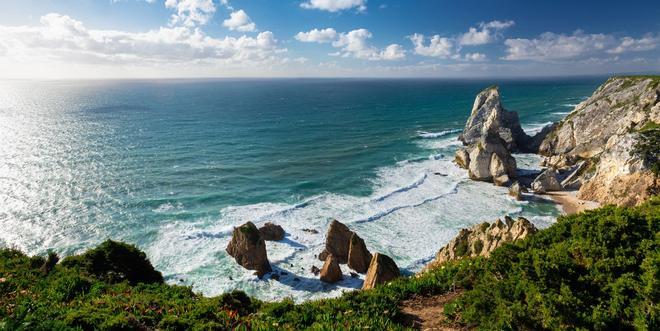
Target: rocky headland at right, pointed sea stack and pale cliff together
591,151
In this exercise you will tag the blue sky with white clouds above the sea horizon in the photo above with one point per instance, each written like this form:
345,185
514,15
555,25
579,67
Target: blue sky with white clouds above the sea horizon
61,39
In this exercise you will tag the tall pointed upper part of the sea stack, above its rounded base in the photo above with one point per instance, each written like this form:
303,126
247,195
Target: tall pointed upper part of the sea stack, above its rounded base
488,116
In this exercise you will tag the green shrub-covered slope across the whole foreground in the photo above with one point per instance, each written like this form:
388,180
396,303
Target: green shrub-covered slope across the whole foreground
596,270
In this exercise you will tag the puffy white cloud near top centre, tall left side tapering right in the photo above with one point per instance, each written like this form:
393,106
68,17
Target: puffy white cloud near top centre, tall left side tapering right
354,44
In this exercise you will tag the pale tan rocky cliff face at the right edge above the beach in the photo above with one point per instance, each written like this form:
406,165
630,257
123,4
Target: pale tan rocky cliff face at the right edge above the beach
602,132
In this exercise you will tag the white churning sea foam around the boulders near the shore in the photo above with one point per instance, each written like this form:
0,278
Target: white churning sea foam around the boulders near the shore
416,207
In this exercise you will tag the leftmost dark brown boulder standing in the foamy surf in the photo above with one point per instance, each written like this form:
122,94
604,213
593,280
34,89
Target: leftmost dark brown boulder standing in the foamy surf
248,248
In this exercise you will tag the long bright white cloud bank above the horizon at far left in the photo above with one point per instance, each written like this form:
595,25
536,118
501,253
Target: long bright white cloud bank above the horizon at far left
61,39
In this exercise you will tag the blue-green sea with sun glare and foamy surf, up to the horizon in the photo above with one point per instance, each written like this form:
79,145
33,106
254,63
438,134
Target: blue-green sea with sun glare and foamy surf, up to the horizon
173,165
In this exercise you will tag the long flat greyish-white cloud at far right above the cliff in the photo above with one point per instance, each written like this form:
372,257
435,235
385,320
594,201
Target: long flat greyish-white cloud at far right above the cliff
551,46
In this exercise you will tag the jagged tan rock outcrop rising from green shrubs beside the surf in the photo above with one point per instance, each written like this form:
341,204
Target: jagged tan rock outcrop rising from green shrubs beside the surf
482,239
